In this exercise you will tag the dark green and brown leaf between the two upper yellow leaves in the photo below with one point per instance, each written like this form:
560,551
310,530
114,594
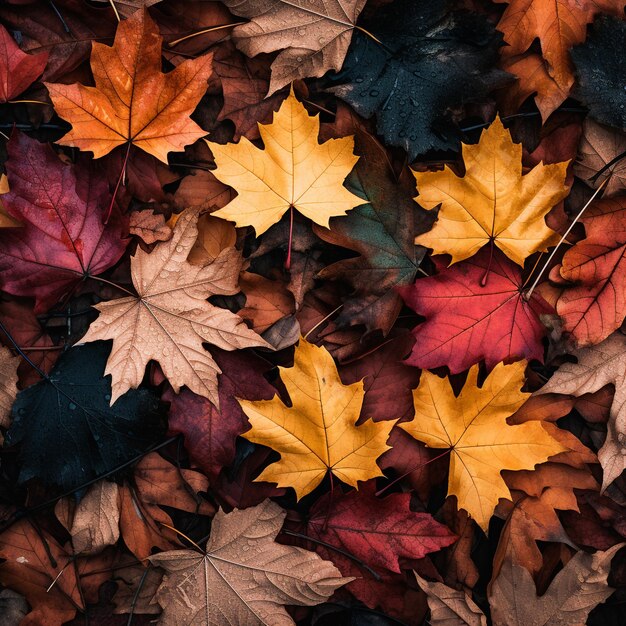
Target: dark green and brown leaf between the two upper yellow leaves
382,232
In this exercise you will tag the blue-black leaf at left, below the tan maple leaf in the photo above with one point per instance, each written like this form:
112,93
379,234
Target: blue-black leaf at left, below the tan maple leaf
74,399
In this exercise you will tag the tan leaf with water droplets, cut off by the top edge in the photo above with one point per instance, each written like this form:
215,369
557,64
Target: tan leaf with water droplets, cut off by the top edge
313,35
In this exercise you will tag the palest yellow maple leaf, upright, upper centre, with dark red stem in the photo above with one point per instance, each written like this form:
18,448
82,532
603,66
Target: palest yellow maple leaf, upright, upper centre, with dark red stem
293,170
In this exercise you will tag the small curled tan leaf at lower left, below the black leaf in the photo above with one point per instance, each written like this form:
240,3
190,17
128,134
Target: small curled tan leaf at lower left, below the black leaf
97,519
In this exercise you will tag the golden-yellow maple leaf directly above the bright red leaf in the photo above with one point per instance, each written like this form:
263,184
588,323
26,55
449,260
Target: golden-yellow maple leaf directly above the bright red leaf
493,201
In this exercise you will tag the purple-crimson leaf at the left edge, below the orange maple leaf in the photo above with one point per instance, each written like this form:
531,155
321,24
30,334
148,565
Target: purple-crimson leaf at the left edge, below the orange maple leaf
63,240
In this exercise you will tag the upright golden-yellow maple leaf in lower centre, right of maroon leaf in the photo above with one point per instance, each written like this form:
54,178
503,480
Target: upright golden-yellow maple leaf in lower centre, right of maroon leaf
317,433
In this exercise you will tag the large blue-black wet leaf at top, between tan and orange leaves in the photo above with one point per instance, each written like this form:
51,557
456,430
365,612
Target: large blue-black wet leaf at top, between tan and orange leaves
421,61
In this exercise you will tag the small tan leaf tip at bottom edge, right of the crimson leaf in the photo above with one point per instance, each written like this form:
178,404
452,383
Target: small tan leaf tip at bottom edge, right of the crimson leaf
450,607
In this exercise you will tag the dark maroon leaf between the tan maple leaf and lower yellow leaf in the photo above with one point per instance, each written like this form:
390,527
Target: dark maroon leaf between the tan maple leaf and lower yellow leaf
210,434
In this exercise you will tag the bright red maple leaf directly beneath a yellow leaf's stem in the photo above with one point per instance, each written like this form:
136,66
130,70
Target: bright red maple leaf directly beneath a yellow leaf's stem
466,322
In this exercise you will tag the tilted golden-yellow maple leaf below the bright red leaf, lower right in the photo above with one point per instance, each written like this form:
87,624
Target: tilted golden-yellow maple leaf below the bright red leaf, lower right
482,444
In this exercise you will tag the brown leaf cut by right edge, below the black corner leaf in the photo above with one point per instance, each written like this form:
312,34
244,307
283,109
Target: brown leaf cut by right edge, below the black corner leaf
599,148
